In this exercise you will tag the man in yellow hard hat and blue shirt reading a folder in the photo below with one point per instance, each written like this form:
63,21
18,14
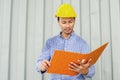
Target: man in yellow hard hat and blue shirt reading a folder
67,40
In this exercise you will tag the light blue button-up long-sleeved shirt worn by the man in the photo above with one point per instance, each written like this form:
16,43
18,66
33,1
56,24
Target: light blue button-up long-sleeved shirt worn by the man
75,44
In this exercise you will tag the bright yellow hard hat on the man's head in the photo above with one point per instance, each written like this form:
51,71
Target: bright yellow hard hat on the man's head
65,10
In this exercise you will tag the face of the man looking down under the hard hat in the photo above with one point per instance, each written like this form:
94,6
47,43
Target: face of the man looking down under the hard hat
67,25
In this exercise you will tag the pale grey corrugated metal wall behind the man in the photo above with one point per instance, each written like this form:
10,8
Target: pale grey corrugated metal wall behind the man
26,24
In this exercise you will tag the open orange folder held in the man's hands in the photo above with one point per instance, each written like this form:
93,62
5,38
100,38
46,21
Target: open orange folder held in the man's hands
61,59
